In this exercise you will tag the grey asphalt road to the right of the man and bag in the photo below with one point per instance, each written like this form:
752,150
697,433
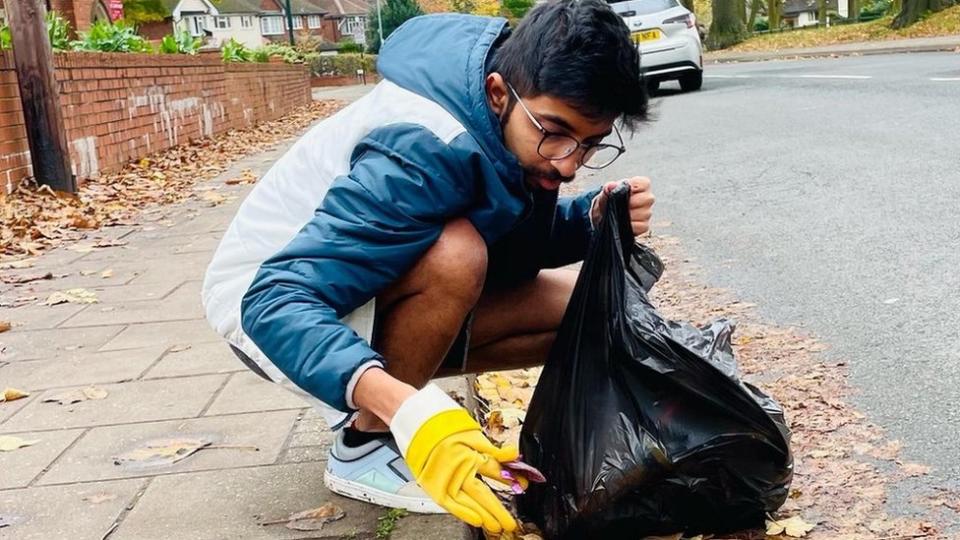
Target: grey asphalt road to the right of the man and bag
828,192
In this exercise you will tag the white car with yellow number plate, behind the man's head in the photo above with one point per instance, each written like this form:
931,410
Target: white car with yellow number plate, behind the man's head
668,39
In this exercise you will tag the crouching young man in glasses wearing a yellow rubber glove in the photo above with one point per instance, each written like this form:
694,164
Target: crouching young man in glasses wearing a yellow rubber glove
411,229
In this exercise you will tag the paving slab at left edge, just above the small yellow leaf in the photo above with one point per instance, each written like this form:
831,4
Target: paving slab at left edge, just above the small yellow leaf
79,369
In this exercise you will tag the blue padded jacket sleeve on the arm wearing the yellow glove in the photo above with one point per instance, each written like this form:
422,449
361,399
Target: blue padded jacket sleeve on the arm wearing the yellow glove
373,224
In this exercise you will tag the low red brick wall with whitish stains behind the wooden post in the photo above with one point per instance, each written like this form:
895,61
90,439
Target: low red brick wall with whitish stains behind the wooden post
119,107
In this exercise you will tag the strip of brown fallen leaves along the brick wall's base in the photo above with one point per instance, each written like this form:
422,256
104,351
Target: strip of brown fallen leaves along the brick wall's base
35,218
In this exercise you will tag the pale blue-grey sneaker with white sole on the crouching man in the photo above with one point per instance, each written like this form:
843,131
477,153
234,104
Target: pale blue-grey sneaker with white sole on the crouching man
376,473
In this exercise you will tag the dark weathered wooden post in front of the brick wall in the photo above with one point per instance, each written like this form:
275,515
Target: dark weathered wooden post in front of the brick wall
42,115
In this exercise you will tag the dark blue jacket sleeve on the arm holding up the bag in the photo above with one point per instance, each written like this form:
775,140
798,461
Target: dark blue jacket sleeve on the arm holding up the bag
571,232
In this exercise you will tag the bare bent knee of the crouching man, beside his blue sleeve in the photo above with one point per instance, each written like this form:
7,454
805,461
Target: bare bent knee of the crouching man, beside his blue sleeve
456,265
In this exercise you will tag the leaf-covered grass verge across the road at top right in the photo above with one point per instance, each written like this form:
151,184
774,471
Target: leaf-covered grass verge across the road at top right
943,23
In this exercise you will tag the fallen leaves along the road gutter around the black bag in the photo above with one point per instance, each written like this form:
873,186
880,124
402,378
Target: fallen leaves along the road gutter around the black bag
844,465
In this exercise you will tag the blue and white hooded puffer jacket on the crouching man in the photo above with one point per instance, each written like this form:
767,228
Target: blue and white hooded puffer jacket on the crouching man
360,197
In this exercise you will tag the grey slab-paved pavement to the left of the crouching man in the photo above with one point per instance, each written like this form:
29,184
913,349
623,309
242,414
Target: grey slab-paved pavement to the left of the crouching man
167,375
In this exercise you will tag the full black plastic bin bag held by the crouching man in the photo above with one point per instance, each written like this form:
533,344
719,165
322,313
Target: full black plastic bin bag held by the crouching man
640,424
